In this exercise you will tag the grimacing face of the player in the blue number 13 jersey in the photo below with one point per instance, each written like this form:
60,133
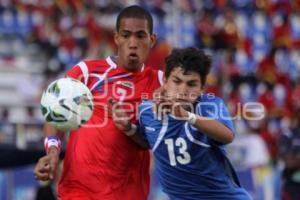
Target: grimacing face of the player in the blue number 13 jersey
183,87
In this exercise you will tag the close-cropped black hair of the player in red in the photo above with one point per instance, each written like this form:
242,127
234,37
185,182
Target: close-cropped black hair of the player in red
135,11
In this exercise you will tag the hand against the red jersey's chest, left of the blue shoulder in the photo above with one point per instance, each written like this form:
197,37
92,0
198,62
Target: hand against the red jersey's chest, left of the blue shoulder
120,117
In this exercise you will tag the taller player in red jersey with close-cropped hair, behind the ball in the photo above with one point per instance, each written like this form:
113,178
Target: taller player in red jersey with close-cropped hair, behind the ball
101,163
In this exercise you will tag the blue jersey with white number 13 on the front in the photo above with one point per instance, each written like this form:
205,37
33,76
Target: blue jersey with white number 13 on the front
189,164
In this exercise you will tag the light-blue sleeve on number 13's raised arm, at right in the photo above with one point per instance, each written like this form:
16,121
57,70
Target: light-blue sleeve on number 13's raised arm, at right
216,109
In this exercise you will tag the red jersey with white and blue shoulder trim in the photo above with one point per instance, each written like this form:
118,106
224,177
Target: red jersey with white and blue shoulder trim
101,162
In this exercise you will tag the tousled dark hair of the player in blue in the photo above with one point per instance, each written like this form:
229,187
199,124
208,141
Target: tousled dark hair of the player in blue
190,60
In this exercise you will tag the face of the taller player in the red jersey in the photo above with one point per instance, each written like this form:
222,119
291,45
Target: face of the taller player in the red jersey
134,43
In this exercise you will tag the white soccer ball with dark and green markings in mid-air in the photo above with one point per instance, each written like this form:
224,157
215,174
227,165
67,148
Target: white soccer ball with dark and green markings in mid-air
67,104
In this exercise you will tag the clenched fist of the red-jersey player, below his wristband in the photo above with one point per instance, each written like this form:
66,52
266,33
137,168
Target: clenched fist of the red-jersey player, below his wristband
46,167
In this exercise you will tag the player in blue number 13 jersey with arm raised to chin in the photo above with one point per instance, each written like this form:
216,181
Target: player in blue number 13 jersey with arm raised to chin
187,131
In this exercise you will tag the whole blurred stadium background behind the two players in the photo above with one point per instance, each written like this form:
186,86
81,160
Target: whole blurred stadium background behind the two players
256,58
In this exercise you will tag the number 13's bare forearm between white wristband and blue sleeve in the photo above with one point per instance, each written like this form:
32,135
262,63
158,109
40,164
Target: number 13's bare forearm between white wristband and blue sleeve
214,129
